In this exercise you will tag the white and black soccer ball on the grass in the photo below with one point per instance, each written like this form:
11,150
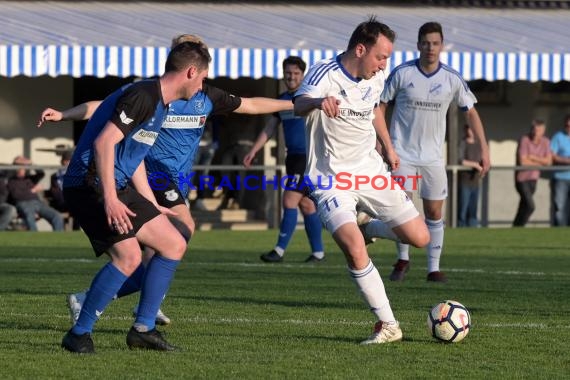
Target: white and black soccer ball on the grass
449,321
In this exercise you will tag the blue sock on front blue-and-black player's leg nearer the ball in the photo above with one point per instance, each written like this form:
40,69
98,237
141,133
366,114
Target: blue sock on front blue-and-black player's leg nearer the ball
157,278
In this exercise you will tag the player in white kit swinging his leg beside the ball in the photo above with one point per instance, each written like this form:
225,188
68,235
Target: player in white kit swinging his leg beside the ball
339,98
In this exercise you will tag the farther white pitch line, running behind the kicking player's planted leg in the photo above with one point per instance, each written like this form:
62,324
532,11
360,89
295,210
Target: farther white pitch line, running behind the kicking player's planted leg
283,265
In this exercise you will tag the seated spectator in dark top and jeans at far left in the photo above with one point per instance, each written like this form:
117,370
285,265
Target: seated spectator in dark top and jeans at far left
24,191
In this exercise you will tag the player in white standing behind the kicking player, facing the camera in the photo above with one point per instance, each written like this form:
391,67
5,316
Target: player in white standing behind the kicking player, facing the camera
422,91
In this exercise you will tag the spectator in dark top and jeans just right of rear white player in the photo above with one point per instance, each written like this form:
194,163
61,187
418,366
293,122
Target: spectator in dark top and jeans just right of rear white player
469,180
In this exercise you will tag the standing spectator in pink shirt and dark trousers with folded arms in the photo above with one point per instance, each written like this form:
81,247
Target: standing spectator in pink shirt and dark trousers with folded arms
533,150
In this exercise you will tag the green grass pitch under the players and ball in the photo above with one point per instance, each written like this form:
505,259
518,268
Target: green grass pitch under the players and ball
236,317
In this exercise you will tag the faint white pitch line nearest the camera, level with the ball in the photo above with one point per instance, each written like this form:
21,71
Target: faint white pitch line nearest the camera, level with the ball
341,322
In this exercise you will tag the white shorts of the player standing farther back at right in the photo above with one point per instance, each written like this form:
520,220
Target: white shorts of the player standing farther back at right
431,181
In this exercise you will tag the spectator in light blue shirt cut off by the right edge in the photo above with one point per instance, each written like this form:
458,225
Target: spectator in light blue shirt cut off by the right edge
560,186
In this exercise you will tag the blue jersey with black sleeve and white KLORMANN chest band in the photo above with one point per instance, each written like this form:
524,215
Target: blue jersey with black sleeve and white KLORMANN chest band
173,153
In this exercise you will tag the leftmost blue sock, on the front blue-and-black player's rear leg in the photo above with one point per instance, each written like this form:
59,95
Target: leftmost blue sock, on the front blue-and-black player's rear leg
105,285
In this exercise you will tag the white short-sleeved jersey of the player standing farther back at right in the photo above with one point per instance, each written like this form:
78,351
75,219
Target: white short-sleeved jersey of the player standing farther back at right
421,100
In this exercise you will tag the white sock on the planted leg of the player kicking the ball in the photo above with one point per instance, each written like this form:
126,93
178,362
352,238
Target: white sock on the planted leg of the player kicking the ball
372,289
